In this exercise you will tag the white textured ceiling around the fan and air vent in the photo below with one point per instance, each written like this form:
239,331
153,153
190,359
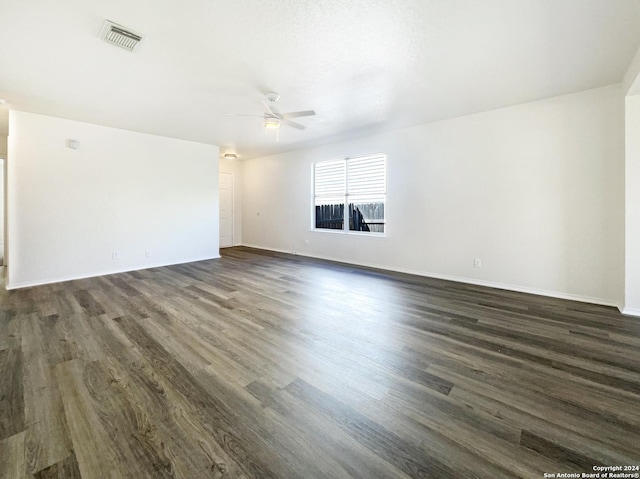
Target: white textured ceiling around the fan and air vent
363,66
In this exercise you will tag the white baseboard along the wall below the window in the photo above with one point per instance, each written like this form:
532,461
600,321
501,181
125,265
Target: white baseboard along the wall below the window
458,279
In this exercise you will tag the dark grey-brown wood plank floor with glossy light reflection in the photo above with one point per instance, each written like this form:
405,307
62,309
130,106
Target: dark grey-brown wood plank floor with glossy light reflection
268,365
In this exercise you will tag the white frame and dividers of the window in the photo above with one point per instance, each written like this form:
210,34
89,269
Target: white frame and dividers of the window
345,197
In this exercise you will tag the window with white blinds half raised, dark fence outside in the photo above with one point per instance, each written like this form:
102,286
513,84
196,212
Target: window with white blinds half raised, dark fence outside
360,185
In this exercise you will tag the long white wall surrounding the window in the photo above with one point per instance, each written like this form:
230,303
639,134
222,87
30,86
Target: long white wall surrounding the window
535,191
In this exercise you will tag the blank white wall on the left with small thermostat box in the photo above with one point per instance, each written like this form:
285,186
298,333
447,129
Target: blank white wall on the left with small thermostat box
68,210
